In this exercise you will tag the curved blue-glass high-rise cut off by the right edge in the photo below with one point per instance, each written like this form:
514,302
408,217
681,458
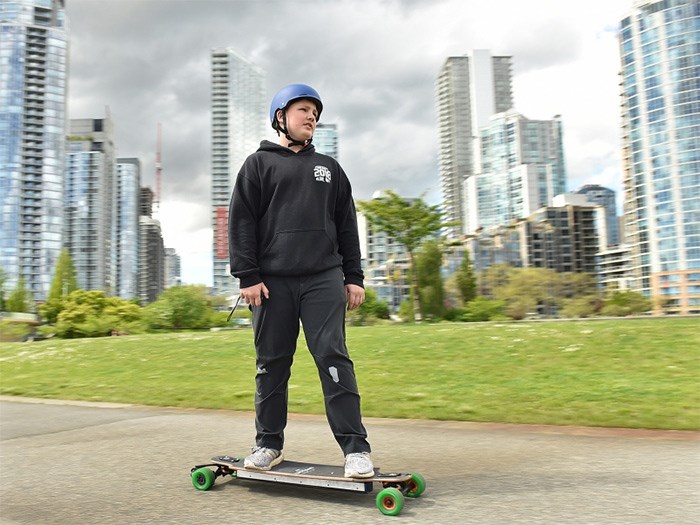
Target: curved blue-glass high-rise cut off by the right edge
660,103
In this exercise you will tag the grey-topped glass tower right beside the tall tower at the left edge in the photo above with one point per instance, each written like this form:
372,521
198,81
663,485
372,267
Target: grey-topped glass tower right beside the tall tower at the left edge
88,224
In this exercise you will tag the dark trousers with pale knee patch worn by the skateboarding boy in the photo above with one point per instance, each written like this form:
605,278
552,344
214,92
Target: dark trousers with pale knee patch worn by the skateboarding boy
319,301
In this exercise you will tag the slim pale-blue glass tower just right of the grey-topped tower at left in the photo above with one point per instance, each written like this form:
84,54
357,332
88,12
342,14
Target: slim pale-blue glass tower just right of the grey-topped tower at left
127,191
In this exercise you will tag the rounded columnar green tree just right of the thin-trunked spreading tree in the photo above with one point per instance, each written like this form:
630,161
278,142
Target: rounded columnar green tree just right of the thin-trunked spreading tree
430,283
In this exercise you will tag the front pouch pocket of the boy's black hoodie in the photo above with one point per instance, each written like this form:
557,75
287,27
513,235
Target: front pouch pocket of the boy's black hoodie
299,252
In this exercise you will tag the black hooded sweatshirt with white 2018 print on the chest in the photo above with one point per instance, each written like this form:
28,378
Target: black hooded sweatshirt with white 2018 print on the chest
292,214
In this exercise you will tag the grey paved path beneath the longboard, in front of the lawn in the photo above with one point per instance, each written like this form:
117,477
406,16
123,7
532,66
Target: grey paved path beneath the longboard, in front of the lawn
66,463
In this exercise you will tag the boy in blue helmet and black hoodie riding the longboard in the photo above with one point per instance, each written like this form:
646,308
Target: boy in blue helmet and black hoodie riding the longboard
294,245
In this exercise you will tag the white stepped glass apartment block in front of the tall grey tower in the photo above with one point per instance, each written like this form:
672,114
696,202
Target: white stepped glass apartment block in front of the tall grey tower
519,168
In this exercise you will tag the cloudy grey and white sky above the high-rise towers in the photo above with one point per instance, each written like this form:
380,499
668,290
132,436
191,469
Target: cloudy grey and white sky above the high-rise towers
374,63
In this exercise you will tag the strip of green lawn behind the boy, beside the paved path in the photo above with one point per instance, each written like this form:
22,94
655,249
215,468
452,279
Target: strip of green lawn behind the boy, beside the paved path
636,373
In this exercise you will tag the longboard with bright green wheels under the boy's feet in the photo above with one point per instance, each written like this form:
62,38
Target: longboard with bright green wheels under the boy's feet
390,500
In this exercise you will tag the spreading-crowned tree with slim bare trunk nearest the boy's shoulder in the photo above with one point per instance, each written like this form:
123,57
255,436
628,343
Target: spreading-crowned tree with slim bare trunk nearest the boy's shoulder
408,222
